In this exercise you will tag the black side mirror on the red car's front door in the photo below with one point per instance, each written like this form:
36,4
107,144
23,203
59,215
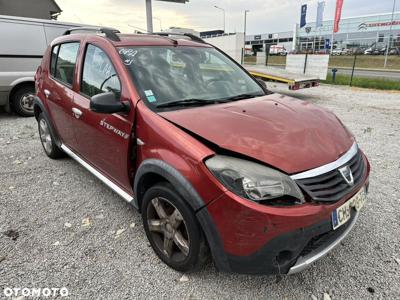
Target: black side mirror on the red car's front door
106,103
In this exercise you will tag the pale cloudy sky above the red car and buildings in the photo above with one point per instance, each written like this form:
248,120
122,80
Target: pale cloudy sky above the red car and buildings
265,16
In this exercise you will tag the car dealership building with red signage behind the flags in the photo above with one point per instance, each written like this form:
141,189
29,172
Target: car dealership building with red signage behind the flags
354,32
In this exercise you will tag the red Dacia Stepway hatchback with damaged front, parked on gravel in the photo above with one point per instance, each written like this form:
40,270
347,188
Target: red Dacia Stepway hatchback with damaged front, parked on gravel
215,163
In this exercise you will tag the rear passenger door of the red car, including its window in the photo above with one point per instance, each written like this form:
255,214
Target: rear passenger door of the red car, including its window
58,89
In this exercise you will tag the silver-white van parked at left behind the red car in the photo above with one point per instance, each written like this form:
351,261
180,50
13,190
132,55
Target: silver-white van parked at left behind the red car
22,44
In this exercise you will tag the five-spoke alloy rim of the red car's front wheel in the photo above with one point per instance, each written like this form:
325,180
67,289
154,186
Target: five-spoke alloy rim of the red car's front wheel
168,229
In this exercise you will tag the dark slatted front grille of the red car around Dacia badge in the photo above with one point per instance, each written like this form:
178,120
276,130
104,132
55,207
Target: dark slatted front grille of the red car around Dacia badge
331,186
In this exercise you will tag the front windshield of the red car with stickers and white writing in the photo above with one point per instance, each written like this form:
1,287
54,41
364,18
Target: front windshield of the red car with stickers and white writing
178,76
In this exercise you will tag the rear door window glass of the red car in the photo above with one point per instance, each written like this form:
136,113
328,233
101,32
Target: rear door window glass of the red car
65,63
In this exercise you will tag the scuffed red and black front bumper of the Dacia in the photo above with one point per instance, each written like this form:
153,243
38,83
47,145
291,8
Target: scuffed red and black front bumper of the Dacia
261,239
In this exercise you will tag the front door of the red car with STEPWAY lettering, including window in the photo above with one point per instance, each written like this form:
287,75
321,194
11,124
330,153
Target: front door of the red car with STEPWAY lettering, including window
102,139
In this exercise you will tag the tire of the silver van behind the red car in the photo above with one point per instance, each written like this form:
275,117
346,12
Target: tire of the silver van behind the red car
22,100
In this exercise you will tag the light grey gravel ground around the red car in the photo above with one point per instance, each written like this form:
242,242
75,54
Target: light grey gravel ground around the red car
69,225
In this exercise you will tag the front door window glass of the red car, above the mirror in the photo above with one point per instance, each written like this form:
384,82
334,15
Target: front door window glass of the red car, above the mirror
99,75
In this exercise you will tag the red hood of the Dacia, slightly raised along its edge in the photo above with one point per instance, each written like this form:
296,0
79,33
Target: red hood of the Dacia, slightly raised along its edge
281,131
